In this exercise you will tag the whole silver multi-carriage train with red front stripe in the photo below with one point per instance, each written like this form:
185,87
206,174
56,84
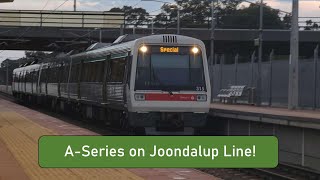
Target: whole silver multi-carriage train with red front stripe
154,83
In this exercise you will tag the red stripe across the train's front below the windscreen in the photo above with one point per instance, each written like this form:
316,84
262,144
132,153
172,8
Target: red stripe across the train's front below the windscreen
168,97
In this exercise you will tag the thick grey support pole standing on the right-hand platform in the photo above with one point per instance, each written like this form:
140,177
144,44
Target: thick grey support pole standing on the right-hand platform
293,95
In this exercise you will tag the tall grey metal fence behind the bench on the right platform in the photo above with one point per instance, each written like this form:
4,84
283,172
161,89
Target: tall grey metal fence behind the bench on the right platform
274,76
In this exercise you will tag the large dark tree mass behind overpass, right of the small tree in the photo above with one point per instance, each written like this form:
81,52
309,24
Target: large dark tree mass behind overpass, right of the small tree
197,13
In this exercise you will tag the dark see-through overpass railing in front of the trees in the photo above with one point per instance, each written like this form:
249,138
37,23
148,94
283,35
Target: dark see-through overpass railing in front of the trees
222,22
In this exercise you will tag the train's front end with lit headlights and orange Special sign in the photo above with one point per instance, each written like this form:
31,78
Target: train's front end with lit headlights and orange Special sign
169,86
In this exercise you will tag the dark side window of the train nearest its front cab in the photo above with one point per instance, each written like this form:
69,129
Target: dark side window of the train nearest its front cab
117,67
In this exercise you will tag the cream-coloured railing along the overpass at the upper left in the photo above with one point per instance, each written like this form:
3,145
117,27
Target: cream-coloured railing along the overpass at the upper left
79,19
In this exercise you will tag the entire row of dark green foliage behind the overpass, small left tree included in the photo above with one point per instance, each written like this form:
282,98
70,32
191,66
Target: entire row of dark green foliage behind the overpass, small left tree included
197,13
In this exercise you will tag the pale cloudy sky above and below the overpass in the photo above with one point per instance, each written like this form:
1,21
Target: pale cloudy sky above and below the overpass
308,8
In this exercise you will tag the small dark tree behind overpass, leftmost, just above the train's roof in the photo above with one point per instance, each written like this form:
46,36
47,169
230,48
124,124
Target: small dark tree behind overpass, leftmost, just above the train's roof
133,16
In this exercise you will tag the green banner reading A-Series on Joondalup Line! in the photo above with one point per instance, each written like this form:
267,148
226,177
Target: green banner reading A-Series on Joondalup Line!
158,152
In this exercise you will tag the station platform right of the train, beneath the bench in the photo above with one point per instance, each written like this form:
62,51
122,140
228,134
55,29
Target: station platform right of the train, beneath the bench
282,116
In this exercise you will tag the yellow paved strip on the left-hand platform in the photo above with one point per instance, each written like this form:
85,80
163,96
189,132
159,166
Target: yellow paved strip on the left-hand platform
20,133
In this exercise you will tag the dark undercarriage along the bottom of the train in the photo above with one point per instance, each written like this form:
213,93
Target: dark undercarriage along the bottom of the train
115,116
